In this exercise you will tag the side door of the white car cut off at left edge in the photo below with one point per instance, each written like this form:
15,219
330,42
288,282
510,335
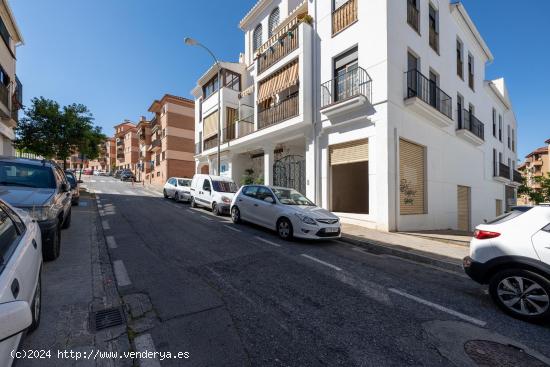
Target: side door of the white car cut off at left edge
18,270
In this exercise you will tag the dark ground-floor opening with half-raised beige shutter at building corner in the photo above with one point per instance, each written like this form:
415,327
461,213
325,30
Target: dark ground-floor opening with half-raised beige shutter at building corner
349,172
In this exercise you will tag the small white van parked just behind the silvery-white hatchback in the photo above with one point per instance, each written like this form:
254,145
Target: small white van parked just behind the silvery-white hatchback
213,192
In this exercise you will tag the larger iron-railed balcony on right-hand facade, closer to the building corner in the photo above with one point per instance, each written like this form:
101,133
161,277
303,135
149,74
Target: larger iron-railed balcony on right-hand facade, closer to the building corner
428,100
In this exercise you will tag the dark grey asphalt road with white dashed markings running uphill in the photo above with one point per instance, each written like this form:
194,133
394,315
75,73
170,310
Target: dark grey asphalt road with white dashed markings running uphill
236,295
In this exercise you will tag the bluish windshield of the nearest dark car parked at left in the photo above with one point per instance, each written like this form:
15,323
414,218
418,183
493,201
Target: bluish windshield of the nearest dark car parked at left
26,175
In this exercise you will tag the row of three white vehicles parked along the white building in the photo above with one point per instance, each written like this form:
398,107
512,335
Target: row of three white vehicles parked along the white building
282,209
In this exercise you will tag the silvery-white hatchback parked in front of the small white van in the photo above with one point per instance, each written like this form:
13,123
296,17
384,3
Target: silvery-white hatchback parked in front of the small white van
285,210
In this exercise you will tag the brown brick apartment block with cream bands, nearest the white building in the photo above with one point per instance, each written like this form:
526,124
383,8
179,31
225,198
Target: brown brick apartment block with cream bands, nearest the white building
170,152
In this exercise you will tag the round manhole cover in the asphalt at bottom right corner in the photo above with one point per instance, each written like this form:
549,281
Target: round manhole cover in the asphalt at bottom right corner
487,354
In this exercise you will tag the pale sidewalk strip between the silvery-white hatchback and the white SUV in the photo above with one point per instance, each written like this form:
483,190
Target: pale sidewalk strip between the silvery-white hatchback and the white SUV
418,248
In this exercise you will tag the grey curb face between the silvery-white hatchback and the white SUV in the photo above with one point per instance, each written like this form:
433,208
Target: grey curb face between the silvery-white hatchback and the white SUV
404,252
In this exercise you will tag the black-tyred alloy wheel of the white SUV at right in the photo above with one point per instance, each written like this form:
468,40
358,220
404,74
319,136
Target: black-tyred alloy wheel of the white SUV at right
522,294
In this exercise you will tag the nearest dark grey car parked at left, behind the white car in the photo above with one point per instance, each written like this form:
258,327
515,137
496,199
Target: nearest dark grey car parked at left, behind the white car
39,187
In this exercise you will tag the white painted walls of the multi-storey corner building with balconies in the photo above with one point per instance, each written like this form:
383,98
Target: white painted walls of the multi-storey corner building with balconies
453,156
